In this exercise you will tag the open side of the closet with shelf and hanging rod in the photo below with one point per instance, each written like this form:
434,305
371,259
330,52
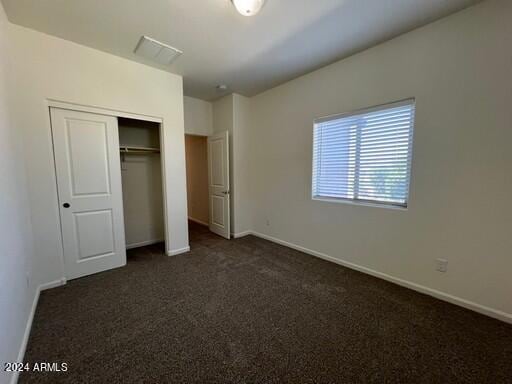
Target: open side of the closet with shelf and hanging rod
141,176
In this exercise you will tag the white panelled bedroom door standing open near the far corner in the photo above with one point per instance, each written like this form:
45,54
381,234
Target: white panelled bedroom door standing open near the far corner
218,183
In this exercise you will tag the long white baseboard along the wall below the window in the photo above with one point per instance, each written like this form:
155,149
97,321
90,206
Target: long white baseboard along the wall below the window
497,314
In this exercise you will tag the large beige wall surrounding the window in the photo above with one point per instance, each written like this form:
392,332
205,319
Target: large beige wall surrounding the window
460,209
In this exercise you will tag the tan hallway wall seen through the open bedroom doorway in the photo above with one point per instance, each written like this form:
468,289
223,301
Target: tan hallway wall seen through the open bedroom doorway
197,178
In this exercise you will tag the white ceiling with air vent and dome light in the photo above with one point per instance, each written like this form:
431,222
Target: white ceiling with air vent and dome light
249,54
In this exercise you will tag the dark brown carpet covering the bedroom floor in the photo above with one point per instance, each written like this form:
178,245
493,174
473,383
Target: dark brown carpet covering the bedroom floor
250,311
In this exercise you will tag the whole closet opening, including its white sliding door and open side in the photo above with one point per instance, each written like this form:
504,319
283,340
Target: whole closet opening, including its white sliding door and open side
110,182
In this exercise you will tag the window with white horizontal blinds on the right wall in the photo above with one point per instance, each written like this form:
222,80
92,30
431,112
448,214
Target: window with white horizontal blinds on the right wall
365,156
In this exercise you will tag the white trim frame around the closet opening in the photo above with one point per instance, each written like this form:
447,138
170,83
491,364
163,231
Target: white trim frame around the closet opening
51,103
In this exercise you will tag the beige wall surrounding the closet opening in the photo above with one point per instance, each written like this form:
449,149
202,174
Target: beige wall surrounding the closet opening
51,68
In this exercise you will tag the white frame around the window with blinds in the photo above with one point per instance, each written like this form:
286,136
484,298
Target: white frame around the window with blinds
365,202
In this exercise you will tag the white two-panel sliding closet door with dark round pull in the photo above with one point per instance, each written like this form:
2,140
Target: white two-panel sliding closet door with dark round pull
88,170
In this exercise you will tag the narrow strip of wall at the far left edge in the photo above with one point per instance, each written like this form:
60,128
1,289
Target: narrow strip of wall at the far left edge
17,288
